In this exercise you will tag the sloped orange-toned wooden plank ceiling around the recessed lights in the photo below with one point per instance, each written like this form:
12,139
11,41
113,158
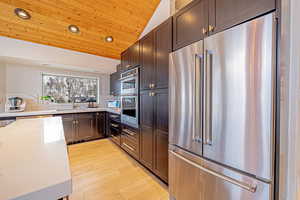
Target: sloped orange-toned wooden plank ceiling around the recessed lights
122,19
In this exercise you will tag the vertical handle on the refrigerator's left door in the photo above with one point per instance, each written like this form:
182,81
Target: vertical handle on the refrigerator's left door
197,118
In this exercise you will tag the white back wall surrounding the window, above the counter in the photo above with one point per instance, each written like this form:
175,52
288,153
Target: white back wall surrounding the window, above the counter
26,82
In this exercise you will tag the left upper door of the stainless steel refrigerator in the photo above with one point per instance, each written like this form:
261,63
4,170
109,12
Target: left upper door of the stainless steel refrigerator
185,74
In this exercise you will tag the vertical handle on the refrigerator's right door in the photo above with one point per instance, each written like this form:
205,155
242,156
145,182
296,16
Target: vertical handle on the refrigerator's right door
208,97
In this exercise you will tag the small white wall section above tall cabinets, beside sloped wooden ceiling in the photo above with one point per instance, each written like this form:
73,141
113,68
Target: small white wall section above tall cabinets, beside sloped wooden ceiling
161,13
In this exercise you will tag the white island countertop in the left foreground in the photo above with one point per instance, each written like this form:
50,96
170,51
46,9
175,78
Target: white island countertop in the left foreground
34,162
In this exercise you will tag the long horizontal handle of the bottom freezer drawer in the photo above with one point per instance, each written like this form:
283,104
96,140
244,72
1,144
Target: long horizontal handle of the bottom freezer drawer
249,187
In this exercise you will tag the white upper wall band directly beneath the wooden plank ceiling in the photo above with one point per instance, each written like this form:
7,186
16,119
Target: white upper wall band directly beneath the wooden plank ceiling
43,54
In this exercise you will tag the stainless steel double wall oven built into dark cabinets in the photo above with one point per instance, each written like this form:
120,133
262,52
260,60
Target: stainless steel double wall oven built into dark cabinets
130,98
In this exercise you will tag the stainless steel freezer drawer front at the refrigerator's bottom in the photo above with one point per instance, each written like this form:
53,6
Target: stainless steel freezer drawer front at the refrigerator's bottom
195,178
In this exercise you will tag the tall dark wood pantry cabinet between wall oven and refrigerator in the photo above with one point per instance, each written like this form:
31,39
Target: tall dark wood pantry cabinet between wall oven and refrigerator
155,49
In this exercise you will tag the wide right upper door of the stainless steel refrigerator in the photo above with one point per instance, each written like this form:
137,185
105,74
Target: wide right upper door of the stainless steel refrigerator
239,90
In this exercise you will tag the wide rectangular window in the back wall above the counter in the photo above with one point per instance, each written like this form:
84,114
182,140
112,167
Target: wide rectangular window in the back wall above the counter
68,89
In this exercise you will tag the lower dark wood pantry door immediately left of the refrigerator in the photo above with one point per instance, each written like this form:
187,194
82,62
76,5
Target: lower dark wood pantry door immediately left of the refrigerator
161,133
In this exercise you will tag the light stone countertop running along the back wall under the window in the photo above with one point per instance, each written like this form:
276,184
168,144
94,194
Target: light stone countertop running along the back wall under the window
56,112
